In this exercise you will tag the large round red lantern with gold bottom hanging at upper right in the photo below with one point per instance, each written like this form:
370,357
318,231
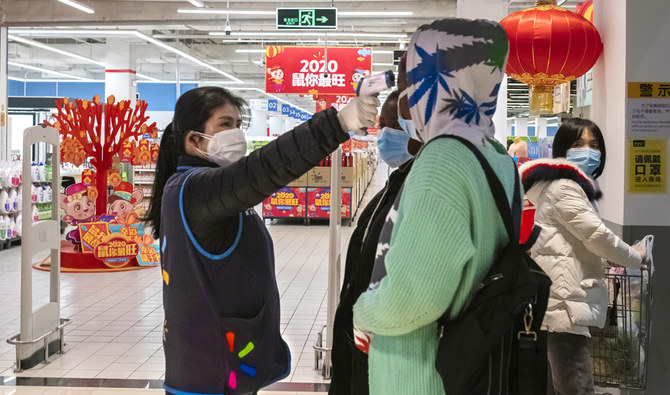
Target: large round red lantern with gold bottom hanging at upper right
549,45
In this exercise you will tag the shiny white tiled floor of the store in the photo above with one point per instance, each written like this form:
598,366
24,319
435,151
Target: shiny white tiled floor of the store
116,317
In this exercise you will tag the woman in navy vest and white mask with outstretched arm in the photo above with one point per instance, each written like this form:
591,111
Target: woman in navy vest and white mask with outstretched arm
221,330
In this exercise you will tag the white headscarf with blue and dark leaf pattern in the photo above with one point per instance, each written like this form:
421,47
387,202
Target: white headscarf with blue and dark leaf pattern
454,70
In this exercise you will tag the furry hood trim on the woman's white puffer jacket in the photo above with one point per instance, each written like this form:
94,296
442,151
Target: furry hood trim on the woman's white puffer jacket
540,170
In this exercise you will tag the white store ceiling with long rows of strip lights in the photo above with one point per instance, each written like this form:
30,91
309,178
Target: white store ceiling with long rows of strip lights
189,33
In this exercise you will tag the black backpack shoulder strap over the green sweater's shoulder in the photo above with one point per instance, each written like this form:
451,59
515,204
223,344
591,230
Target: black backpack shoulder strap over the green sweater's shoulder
511,218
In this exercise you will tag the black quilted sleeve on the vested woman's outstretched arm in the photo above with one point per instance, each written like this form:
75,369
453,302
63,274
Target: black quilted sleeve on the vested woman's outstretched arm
213,198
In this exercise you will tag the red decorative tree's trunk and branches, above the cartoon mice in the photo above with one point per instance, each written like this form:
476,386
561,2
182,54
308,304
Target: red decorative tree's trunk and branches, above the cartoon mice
86,136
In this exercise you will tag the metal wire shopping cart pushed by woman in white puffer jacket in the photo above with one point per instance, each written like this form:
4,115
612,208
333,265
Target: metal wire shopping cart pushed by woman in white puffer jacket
620,350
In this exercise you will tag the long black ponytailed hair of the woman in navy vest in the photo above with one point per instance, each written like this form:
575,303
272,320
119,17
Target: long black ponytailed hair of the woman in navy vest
191,112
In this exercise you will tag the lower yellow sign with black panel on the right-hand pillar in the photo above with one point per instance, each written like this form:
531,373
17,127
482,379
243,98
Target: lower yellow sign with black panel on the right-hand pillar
647,166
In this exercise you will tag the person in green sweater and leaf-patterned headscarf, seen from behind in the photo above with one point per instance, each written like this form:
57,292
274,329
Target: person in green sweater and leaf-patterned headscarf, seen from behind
444,230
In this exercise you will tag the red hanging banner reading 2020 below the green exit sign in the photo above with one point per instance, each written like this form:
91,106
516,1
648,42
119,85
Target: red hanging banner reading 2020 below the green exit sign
301,69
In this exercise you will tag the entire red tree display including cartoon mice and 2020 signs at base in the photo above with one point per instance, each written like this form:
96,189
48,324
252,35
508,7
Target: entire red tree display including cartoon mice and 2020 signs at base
103,135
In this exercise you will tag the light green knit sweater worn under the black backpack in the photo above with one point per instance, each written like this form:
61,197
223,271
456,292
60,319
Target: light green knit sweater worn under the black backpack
446,235
